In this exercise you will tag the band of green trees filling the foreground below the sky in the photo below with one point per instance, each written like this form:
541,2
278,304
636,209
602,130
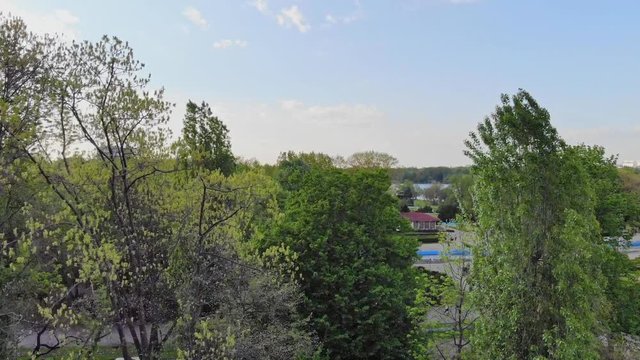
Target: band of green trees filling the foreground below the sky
185,251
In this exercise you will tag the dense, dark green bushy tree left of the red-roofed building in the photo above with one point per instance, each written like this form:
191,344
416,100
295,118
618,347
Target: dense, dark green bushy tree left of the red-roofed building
354,267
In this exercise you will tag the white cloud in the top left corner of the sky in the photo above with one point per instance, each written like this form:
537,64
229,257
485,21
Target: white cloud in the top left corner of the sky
60,21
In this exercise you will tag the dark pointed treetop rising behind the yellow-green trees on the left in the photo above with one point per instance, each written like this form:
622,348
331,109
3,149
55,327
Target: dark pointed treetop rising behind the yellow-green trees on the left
207,139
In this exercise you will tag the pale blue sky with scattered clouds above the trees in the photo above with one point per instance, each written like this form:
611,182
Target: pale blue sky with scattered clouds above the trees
410,78
